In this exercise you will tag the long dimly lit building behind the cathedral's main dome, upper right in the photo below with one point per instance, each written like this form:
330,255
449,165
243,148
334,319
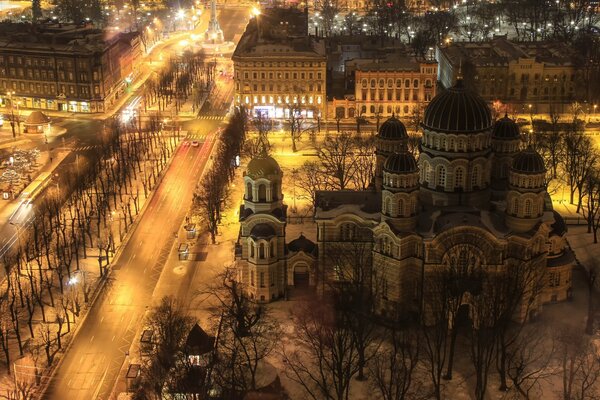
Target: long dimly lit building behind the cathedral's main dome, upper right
514,75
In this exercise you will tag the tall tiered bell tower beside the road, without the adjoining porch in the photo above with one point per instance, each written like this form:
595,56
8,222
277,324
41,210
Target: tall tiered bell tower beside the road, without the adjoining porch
260,251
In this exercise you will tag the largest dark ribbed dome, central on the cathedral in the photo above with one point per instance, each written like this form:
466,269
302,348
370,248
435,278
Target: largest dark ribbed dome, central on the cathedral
457,110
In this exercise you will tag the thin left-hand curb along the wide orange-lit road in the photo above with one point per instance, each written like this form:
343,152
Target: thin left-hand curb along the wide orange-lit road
99,288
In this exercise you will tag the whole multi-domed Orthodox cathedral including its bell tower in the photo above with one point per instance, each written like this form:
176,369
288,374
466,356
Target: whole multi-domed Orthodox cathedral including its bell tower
475,196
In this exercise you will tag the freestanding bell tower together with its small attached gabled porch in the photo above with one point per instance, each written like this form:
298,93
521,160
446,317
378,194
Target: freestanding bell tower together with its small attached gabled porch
267,265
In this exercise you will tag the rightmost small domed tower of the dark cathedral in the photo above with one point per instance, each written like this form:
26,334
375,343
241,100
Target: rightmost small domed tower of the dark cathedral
526,191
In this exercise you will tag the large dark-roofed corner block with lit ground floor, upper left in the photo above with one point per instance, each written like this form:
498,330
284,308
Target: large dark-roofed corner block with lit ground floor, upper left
63,67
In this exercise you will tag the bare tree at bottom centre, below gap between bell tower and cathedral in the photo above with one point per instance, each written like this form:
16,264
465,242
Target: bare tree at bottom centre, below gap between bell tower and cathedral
323,358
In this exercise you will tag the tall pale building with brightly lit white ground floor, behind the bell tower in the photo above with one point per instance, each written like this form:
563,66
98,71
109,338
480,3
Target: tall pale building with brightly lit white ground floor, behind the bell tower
278,68
